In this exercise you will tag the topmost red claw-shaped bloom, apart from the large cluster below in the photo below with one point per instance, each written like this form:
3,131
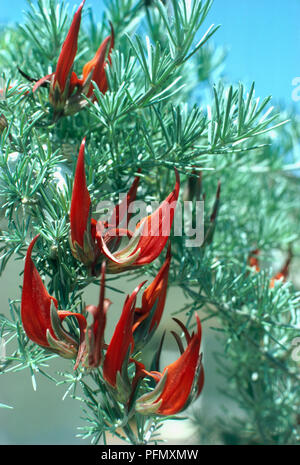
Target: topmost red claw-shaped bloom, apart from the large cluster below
67,91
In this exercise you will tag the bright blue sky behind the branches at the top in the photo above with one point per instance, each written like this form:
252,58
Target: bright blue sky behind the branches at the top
262,37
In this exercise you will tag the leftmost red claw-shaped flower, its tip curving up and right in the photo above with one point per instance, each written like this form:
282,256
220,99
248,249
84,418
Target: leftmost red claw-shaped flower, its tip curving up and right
41,320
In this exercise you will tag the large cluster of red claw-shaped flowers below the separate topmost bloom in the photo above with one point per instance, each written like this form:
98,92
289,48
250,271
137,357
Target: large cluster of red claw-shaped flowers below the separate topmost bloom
180,381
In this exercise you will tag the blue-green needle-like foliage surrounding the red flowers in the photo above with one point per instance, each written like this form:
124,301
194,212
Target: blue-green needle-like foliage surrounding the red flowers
152,118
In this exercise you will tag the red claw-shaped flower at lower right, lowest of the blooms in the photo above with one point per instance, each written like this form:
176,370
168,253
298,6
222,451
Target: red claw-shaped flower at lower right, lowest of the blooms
179,383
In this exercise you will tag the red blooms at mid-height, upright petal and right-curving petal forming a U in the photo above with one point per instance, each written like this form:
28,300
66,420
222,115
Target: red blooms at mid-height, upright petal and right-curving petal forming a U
90,239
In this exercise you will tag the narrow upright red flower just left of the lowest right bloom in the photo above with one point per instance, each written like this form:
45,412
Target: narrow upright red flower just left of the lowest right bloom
116,360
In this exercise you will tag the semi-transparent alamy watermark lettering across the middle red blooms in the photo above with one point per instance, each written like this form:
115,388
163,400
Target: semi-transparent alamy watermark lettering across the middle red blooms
154,219
